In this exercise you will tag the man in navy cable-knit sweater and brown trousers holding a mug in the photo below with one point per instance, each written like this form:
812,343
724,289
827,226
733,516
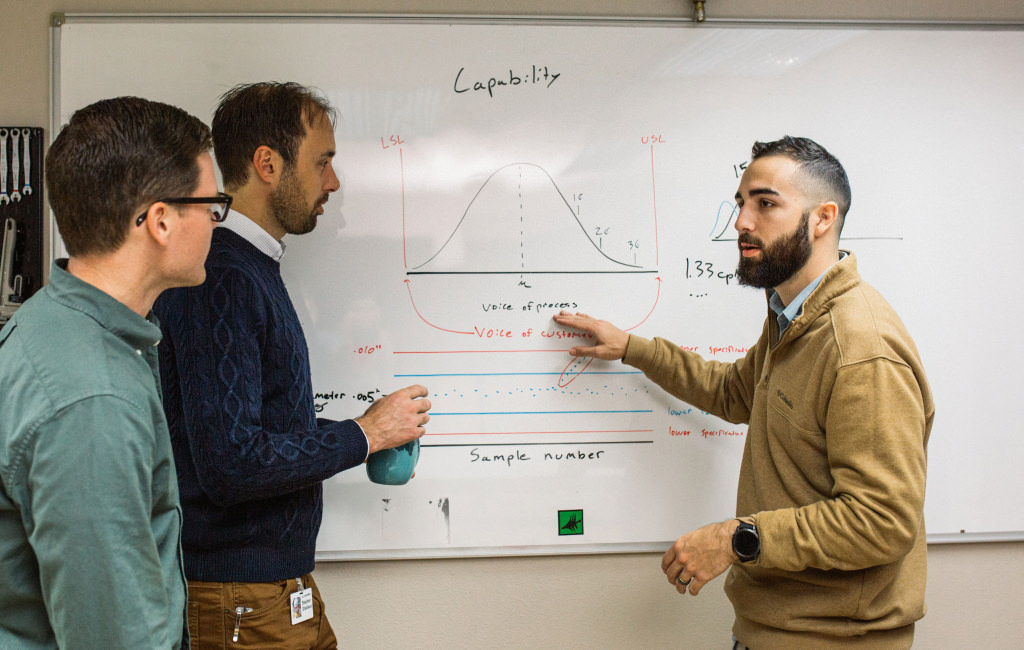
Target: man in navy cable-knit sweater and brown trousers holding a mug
250,453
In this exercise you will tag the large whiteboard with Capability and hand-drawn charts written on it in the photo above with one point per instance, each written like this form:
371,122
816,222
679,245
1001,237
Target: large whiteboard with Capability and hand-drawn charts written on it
496,172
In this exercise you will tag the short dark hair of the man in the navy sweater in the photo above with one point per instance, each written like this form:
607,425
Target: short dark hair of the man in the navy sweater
272,114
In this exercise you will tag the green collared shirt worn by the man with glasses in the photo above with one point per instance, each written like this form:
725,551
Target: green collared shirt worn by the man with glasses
91,522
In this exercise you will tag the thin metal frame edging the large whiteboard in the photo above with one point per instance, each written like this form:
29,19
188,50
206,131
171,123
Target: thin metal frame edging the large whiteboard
56,247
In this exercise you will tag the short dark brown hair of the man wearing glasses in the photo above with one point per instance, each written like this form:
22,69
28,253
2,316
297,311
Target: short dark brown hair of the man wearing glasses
114,157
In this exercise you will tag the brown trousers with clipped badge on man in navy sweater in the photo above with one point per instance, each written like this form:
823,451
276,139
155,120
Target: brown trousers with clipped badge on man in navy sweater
260,612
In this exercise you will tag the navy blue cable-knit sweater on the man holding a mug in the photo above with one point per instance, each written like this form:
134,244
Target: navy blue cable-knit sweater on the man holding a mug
250,453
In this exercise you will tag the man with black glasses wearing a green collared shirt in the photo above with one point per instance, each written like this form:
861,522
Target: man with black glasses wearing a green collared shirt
91,519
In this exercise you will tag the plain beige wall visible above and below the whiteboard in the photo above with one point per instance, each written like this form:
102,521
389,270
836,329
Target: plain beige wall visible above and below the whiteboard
974,594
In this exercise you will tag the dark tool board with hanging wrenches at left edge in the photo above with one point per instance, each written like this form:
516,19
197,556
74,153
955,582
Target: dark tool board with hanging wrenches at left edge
26,209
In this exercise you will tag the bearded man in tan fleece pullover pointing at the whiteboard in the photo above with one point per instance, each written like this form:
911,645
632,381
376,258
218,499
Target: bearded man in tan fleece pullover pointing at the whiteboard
828,548
